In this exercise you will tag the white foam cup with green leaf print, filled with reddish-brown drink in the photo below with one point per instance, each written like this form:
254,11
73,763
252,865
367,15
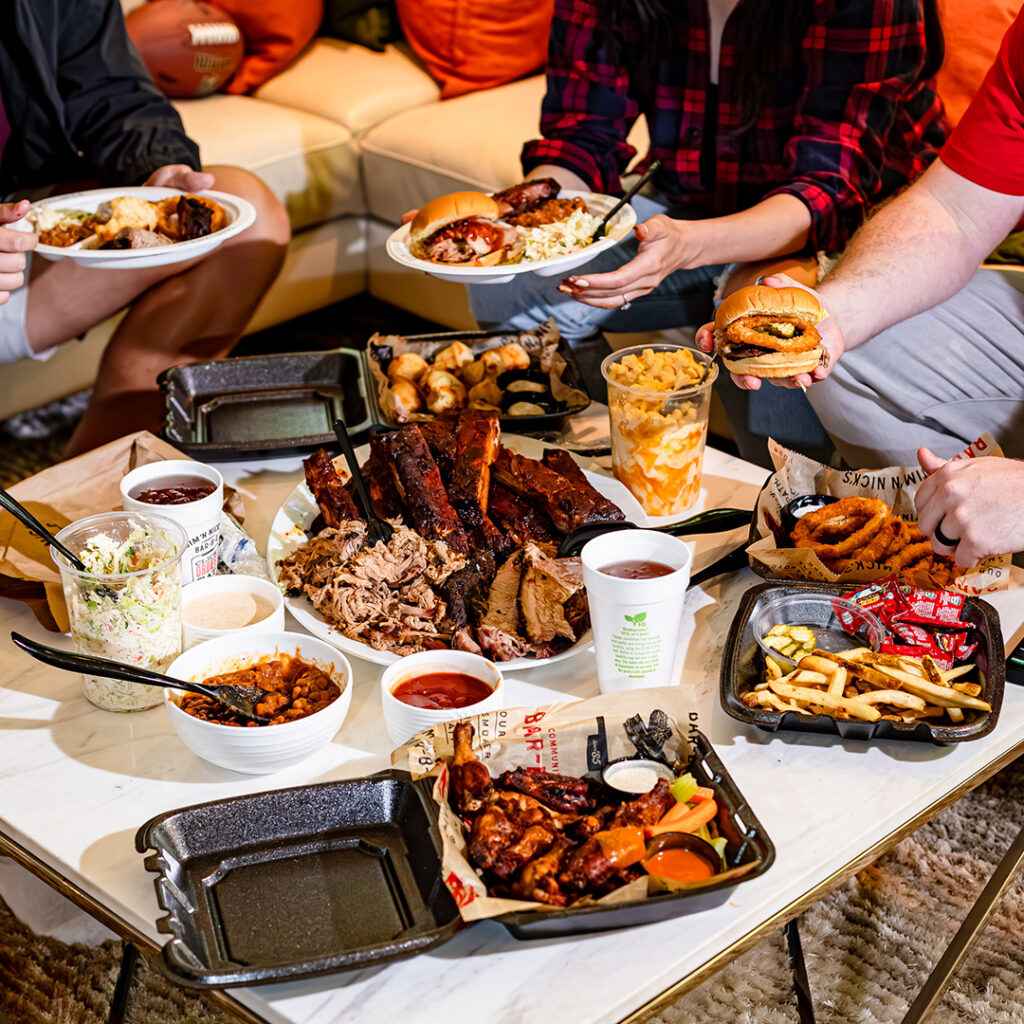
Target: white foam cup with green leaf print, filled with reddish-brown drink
636,583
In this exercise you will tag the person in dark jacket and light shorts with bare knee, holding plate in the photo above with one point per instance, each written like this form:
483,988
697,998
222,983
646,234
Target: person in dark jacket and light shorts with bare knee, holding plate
78,106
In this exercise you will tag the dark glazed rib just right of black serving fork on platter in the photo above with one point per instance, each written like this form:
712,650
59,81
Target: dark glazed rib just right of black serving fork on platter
421,489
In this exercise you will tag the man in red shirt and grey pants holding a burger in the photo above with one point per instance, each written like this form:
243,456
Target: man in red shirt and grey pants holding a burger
926,352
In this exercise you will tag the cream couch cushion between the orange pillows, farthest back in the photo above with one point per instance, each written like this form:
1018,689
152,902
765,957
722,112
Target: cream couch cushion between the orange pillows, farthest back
353,86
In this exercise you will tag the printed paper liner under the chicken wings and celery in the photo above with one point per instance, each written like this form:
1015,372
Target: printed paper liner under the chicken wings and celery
568,739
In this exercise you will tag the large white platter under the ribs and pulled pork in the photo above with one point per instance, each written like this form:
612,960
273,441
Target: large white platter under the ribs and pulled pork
300,509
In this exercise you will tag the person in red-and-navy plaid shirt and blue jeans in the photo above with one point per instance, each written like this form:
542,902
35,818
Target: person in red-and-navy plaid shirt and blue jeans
778,124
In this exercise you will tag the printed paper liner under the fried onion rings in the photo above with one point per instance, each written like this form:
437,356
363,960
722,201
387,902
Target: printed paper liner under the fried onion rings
796,476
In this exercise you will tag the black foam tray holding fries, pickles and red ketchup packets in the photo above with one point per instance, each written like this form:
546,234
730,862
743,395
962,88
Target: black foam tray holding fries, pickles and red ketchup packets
744,663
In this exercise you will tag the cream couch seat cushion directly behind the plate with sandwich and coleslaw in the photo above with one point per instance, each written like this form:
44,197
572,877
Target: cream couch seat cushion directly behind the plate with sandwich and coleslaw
468,142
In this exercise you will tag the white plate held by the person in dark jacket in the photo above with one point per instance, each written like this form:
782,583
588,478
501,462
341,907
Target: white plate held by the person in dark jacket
241,214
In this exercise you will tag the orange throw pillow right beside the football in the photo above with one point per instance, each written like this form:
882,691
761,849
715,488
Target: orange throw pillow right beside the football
276,32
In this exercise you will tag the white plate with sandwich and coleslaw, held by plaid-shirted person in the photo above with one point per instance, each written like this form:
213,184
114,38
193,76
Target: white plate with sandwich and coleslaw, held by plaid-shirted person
620,227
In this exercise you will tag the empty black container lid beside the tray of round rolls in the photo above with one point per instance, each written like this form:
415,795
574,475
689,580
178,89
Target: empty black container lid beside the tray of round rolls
260,407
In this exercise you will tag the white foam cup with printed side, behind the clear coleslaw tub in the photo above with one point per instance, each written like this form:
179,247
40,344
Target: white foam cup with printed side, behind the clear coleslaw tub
200,520
